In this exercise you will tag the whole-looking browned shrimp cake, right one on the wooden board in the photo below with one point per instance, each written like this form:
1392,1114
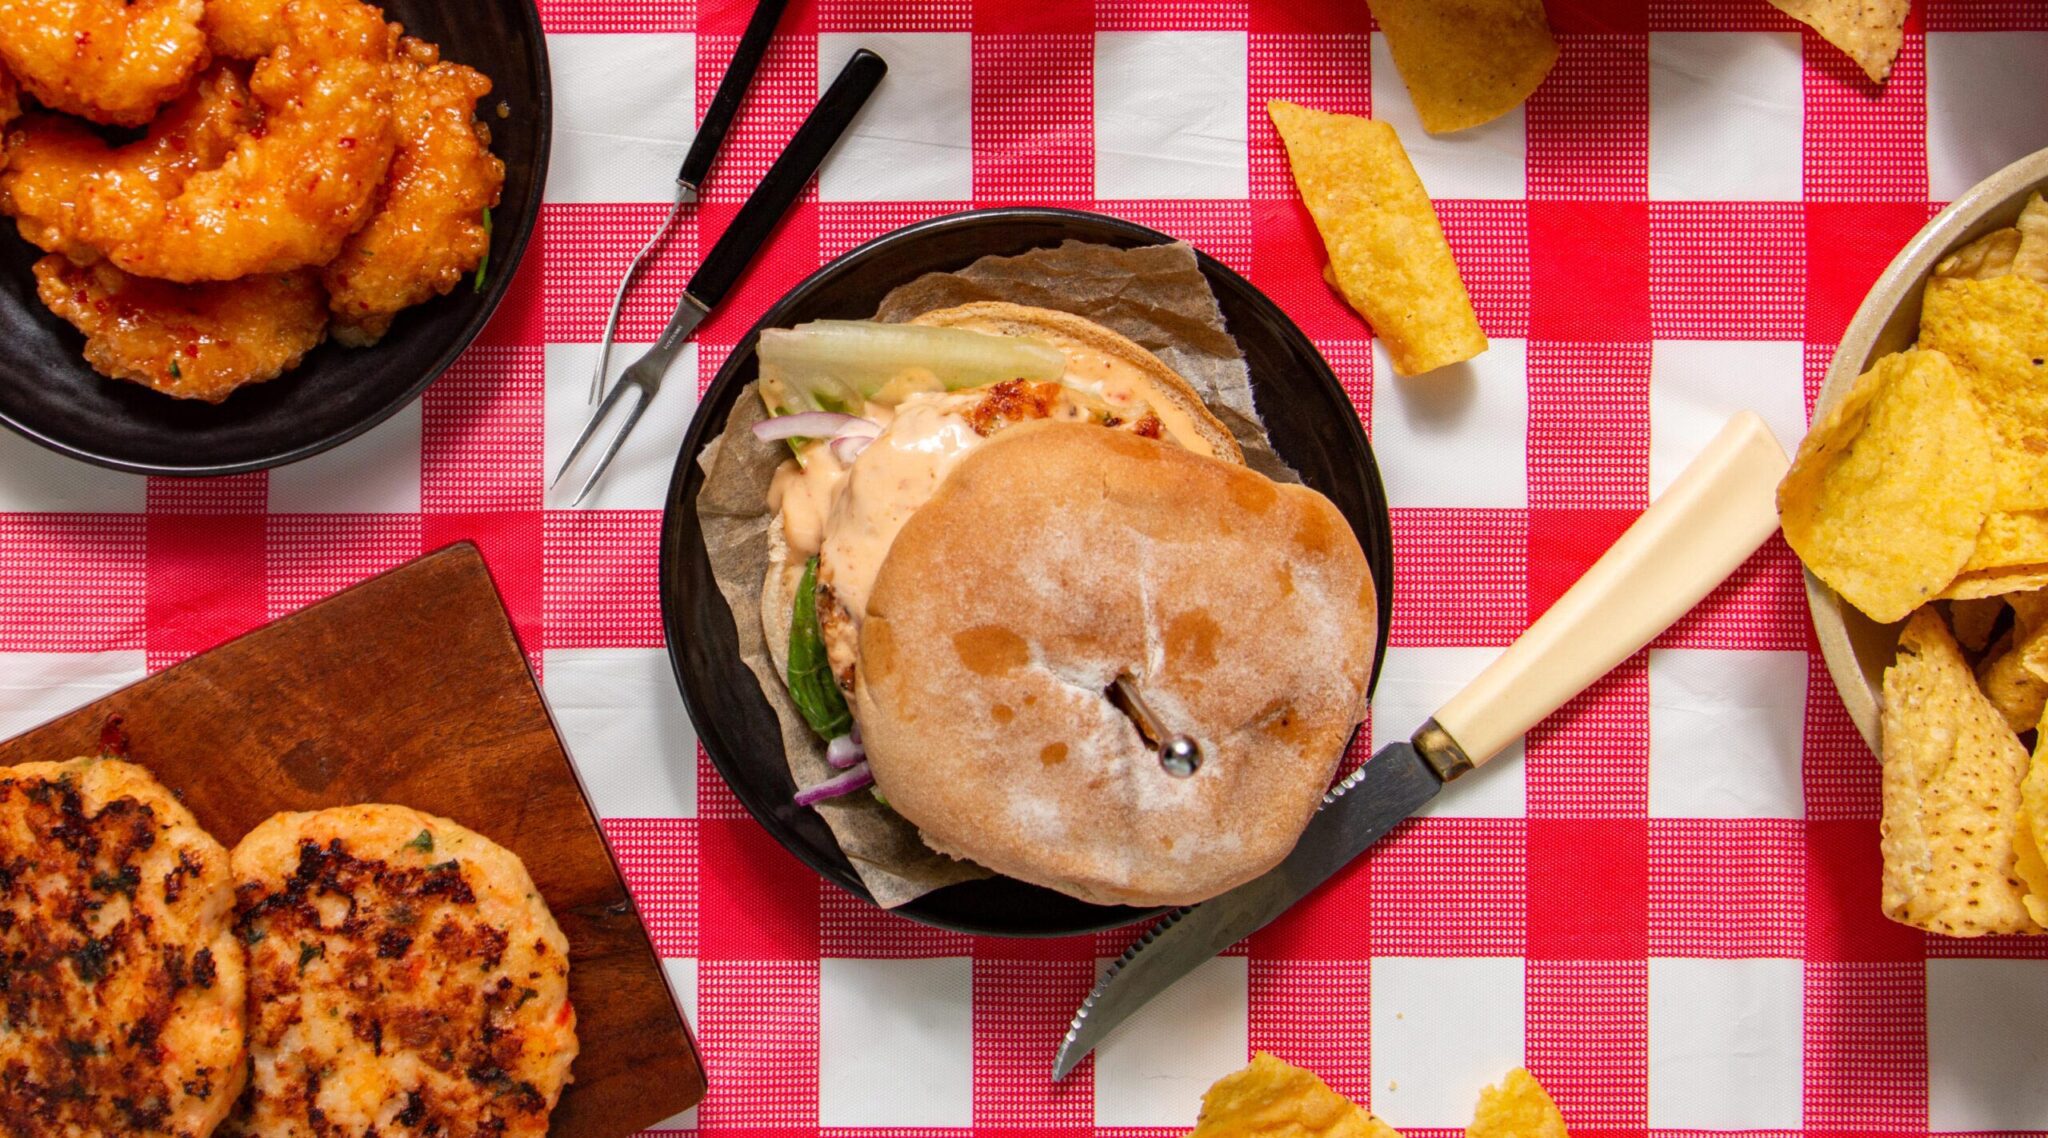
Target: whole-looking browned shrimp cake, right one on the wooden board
407,979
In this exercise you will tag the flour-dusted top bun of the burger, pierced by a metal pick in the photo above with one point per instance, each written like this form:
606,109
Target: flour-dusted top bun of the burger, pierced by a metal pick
1058,560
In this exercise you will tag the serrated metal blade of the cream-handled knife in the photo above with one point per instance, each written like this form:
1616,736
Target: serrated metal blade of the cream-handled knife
1359,812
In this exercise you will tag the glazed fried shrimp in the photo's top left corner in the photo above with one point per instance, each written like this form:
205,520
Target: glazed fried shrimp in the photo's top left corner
108,60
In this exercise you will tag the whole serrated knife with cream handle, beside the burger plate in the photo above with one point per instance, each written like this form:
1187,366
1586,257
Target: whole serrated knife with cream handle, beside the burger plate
1719,511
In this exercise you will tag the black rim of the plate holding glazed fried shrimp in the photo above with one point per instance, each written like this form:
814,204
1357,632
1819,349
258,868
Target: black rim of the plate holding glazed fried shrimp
519,238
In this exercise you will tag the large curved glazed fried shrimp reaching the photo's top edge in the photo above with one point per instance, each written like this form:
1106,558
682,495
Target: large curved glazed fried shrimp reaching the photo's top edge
292,193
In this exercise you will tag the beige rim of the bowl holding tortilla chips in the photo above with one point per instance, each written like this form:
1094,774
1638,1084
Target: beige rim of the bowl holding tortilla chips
1902,283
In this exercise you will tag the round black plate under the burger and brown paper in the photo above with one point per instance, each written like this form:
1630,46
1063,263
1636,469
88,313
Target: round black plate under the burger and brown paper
1312,423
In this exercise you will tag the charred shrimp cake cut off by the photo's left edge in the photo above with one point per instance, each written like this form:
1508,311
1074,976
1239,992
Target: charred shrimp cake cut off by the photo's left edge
122,1008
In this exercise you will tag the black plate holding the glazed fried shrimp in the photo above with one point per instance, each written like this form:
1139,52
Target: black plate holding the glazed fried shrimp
48,392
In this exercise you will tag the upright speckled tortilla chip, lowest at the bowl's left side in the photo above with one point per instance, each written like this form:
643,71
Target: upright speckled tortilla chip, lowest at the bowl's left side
1953,775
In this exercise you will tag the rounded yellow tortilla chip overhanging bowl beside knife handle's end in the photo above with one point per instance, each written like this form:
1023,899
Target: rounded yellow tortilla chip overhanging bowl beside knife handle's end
1891,486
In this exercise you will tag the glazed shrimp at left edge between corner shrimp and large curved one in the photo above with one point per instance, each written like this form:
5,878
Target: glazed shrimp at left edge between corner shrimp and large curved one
62,175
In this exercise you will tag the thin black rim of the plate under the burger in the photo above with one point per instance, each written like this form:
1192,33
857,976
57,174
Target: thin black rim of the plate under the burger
701,433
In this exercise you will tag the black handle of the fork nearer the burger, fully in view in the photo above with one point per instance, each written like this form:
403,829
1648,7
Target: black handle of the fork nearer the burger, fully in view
785,181
